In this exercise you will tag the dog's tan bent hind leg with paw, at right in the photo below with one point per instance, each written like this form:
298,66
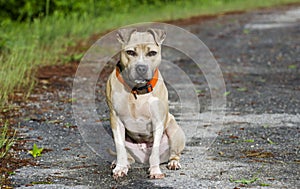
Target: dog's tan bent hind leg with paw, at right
176,141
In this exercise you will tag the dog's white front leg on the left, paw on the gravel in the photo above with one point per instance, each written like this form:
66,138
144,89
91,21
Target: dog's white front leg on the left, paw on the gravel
118,130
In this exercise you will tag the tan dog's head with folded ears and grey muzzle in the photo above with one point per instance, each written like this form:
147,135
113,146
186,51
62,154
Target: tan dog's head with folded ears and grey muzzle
140,54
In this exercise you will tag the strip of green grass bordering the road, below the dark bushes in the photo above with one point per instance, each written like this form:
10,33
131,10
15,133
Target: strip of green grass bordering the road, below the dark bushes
28,45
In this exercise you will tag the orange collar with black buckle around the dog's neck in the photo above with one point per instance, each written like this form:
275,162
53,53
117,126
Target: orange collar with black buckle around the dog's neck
139,90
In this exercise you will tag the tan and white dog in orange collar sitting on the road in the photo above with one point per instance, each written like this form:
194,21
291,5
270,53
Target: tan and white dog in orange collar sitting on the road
143,129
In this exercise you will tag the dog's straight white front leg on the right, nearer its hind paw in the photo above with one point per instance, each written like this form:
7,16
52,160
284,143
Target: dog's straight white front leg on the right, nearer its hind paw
158,120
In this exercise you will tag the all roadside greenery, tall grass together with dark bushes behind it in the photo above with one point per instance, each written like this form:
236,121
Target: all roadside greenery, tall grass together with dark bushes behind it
36,33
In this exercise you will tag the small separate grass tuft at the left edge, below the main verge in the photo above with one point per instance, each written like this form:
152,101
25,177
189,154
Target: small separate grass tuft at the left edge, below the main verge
6,140
